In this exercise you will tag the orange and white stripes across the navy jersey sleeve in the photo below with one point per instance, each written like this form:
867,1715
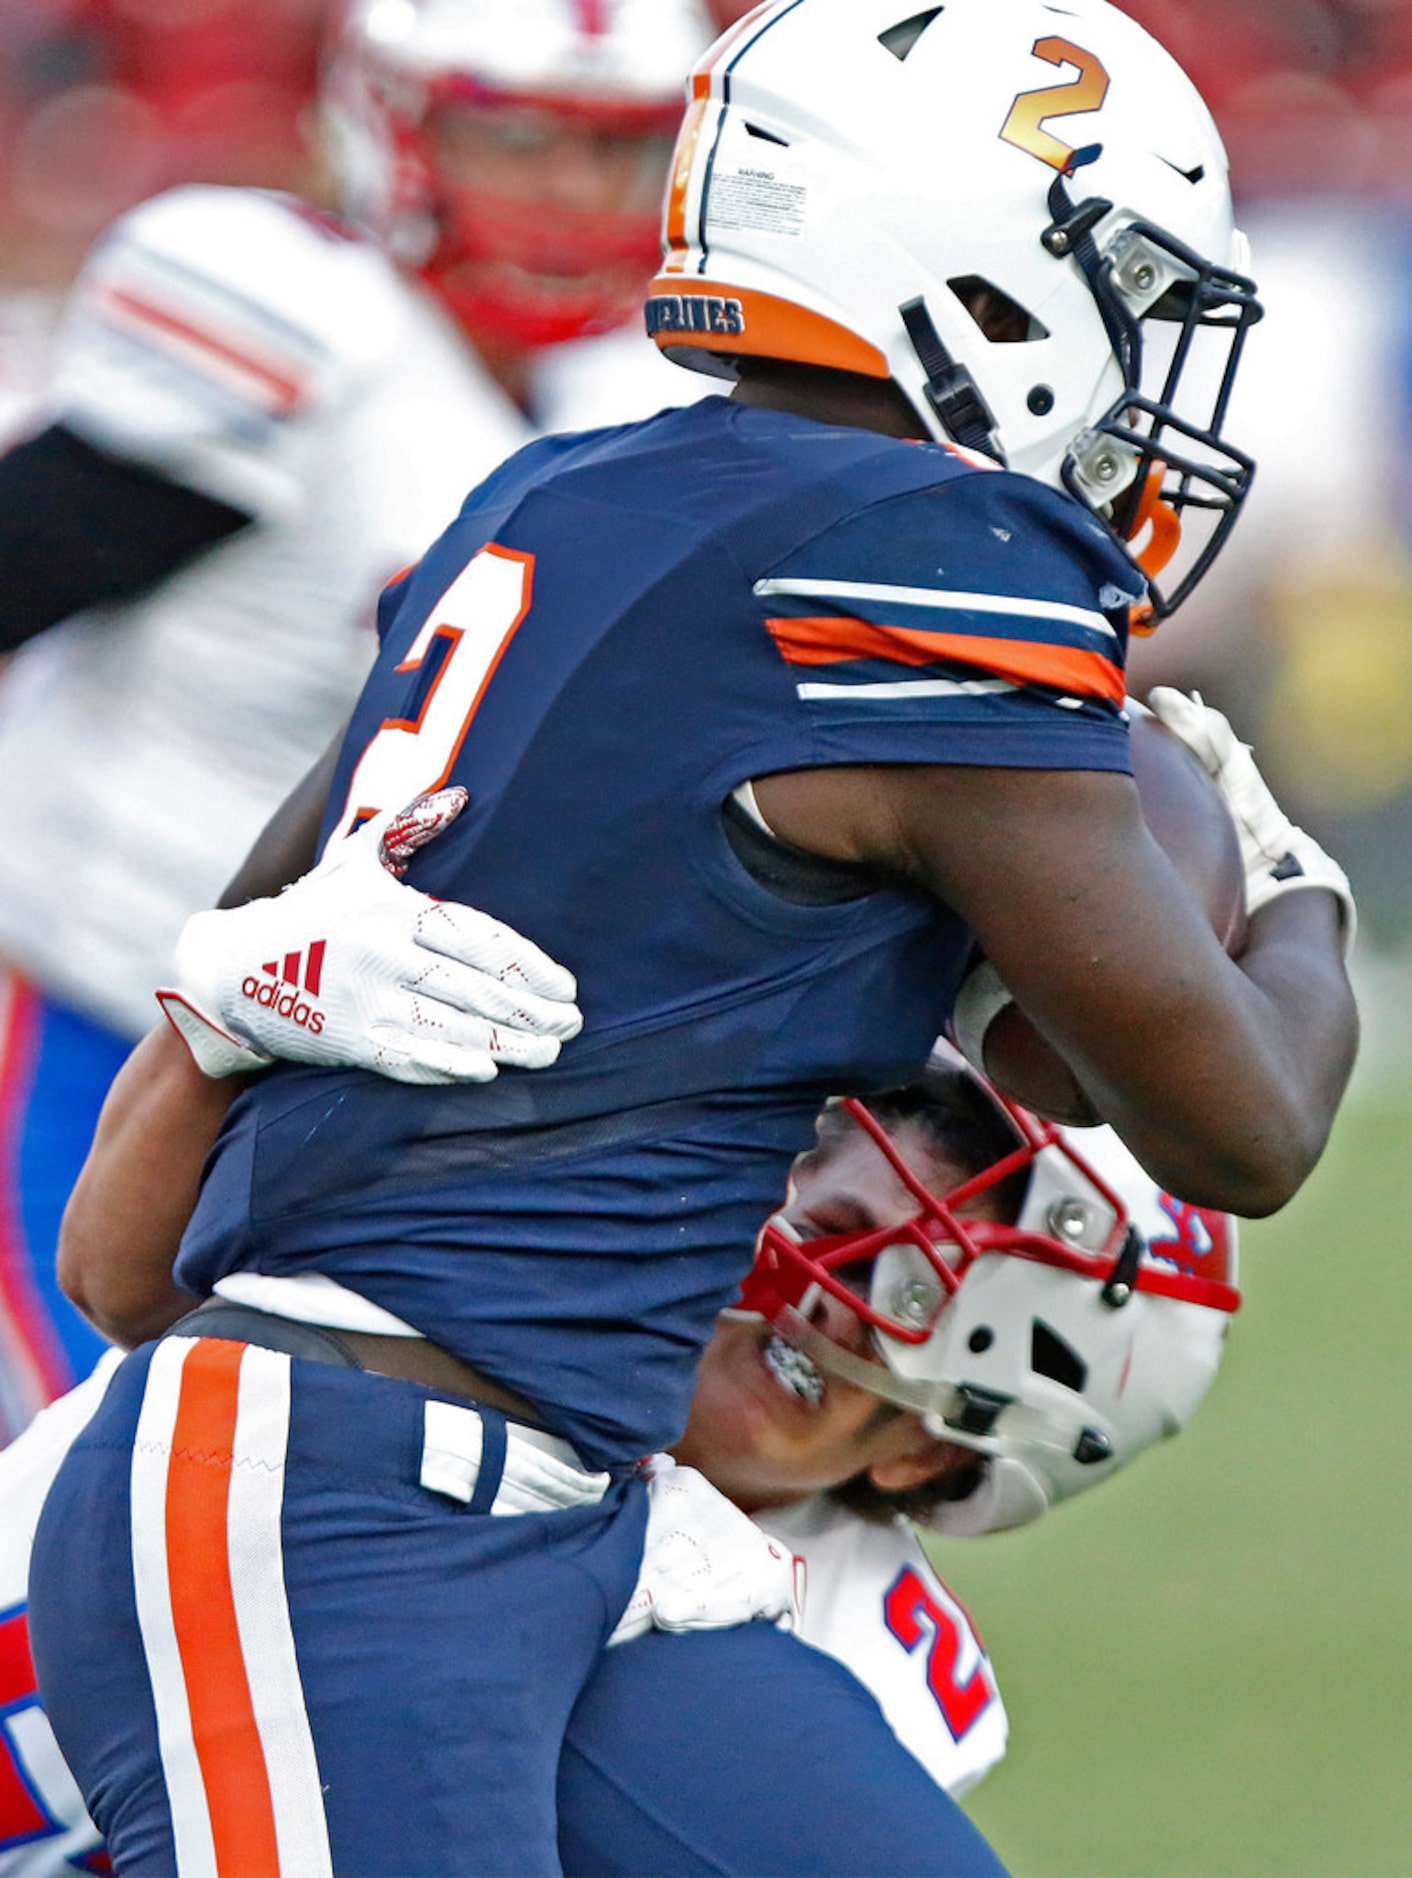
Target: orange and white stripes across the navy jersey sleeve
838,638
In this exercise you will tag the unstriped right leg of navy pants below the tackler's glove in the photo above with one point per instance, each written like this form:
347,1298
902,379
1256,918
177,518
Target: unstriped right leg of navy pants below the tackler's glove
748,1753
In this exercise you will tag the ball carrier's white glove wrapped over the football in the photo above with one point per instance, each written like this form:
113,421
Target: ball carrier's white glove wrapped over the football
1280,857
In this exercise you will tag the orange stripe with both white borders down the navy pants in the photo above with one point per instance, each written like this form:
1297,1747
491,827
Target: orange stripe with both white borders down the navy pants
207,1492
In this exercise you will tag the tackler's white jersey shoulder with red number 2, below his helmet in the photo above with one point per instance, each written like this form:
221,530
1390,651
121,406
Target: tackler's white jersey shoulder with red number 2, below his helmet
874,1601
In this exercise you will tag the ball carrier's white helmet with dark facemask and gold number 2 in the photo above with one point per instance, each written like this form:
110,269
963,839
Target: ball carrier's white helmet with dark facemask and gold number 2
1017,213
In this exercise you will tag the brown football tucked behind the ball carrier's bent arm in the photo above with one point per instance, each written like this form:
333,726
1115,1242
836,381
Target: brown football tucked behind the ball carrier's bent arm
1193,825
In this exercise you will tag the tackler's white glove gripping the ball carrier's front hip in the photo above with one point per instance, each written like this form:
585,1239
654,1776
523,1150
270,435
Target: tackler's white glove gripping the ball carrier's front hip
705,1563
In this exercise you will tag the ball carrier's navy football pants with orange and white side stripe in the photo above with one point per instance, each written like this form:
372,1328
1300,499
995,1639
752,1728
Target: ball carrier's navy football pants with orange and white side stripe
268,1650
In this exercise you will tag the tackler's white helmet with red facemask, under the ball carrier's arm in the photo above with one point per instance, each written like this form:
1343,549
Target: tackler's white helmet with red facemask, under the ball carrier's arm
1058,1347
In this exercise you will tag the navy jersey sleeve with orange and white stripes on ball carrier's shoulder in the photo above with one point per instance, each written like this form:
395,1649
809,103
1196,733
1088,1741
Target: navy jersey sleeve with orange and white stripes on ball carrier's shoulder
981,621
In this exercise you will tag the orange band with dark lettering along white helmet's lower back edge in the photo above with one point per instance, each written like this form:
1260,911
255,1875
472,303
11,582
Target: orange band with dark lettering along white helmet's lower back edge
711,316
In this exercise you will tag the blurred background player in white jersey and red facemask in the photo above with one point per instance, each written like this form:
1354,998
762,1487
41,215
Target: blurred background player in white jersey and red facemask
258,416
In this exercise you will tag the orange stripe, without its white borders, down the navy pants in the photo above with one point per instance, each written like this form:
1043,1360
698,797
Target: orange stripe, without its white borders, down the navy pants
204,1616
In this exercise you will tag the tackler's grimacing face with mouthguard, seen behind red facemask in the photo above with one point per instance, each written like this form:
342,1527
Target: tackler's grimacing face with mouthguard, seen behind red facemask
767,1428
